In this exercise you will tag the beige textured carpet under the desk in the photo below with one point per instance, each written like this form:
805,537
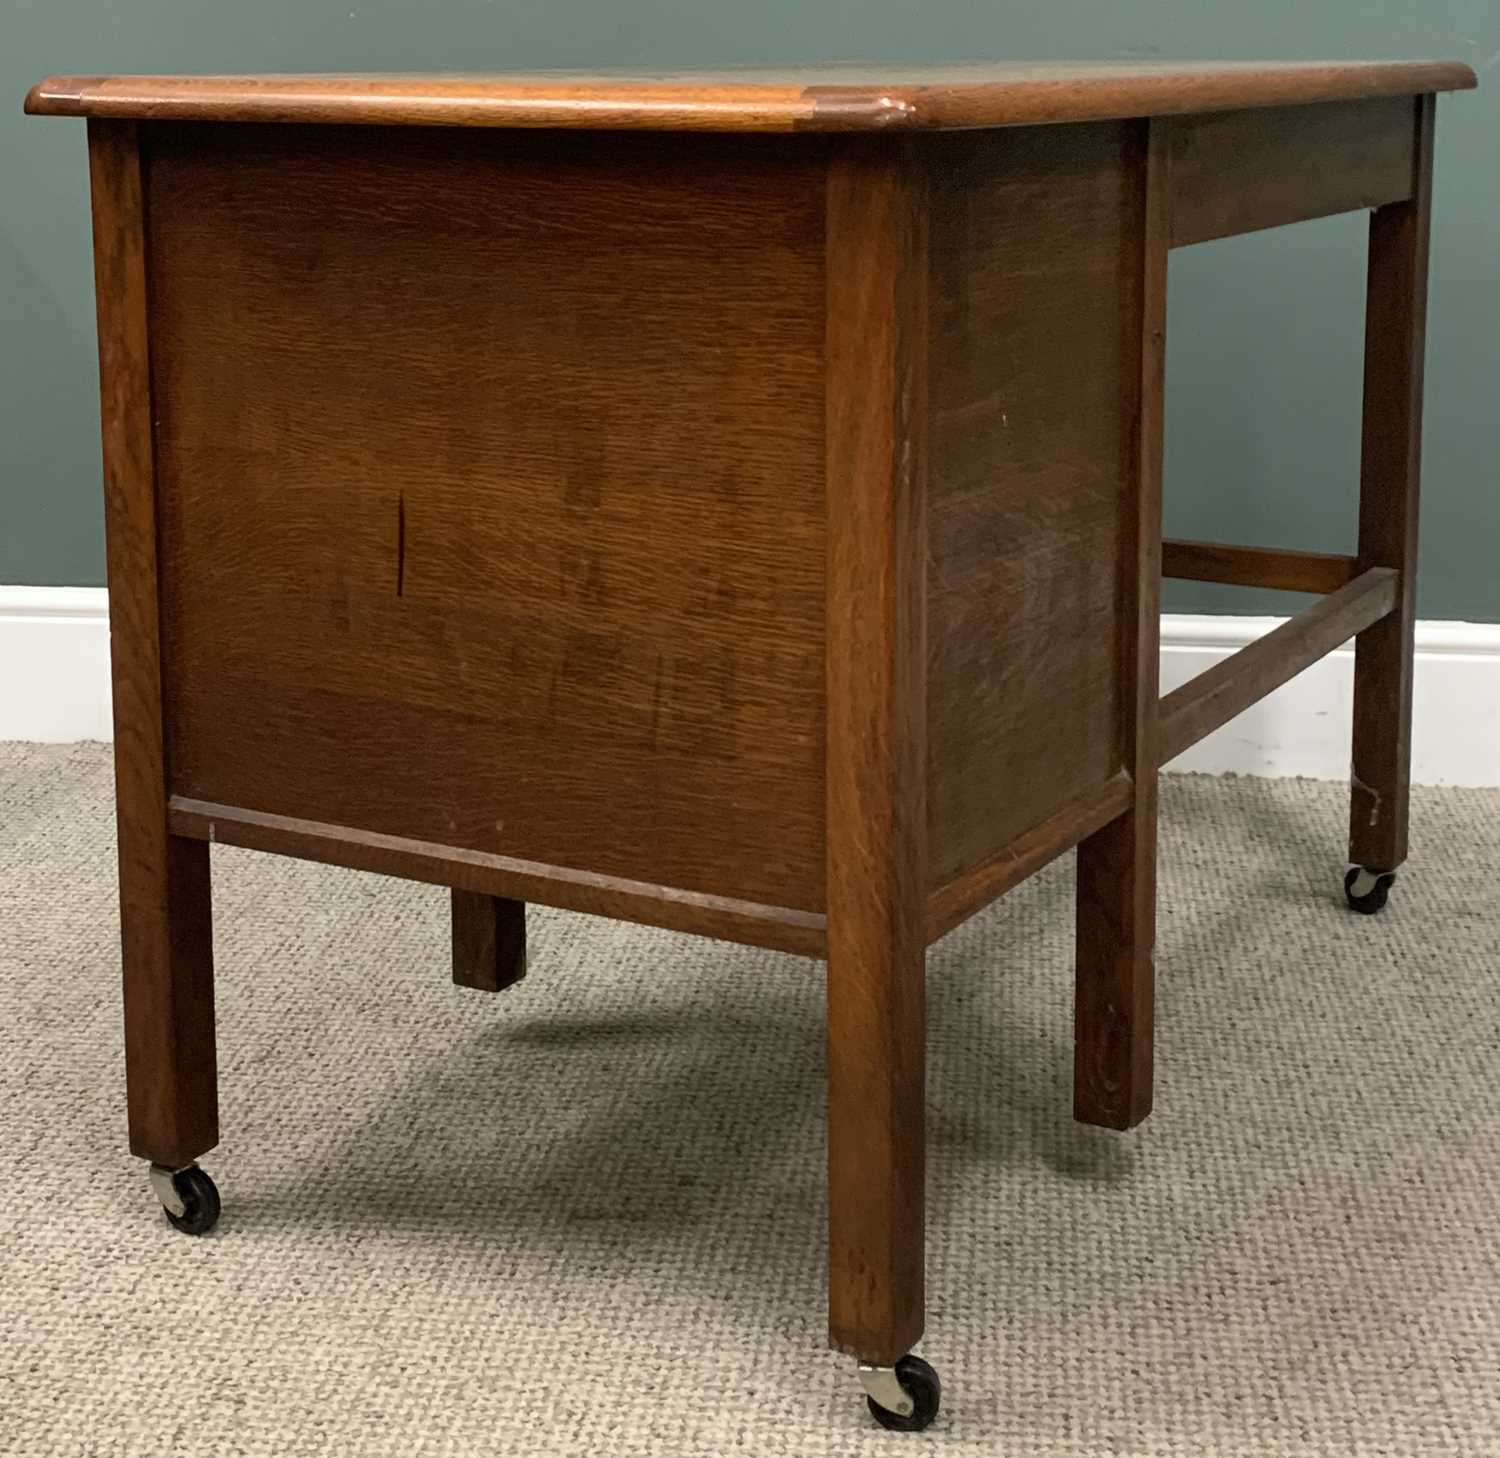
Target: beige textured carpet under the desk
586,1217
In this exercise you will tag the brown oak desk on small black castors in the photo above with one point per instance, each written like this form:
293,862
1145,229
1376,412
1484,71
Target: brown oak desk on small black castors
724,502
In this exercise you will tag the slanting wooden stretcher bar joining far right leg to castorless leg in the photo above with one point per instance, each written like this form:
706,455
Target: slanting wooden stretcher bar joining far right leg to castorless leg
1228,689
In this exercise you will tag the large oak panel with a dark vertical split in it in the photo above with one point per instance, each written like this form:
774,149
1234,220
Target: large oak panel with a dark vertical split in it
491,493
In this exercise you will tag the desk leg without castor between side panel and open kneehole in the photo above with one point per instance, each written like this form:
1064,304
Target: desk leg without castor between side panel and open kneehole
1117,874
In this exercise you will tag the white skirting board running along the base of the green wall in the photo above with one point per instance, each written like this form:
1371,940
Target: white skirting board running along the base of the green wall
55,688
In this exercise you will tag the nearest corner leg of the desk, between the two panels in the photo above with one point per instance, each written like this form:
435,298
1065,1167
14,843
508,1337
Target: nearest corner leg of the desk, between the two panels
877,661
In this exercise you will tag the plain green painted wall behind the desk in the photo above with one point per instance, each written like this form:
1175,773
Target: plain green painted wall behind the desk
1264,365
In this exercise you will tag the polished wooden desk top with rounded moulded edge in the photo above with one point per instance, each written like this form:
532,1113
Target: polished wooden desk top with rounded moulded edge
814,100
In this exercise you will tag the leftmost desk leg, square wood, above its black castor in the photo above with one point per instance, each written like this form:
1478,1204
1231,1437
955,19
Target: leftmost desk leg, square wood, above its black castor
166,911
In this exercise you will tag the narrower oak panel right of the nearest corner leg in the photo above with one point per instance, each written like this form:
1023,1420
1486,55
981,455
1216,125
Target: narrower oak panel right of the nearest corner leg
1031,449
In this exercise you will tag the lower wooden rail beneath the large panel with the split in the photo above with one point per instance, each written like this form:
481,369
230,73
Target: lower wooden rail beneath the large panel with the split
779,928
